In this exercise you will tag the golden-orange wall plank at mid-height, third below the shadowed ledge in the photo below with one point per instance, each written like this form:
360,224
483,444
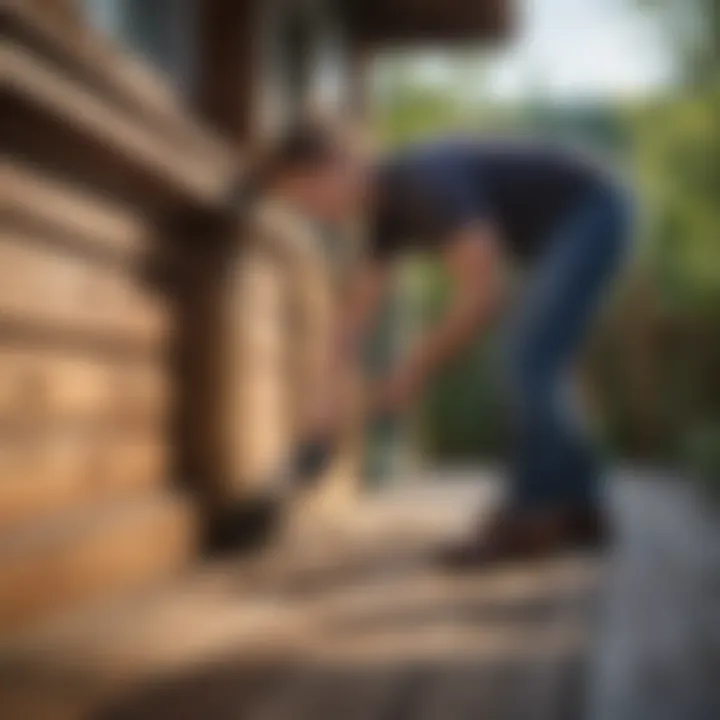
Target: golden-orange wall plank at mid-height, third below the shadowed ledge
39,387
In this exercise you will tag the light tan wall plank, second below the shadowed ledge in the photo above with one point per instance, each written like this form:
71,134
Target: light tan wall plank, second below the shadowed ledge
68,292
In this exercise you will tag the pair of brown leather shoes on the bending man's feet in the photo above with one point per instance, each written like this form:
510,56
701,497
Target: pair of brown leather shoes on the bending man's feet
513,535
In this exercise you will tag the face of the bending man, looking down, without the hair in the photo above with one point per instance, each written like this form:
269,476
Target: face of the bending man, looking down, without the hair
330,193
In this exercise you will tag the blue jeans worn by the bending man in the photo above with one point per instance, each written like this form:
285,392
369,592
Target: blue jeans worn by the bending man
554,462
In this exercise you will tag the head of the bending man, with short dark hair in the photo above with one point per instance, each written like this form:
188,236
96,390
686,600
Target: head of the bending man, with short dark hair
310,168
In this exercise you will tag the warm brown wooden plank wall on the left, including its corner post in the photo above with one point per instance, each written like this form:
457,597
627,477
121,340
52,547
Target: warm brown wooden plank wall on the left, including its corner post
157,348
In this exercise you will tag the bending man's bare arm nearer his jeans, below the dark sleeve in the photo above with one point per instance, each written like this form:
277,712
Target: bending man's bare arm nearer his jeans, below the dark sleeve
474,260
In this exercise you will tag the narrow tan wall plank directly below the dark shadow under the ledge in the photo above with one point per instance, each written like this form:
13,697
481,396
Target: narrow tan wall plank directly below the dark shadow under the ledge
30,196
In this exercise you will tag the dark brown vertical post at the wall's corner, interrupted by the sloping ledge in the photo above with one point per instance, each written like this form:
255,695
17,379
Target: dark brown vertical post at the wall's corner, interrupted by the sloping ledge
212,247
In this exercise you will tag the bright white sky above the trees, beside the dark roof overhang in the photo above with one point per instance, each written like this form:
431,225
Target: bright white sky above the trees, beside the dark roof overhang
568,50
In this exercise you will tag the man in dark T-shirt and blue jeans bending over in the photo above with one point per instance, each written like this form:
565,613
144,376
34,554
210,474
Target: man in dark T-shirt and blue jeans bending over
478,205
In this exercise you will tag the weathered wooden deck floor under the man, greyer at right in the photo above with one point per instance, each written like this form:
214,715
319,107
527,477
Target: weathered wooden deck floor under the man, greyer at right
353,622
